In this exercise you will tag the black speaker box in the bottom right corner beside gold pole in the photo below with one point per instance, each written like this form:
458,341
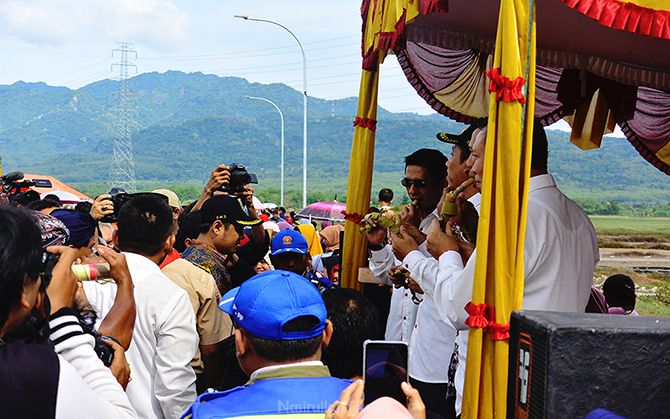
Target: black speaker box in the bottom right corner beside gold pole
564,365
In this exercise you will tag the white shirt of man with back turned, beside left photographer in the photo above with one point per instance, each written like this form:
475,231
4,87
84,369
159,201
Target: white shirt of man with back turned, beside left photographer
164,340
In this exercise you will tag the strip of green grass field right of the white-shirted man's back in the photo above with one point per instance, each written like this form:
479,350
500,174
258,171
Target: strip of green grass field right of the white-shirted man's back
614,225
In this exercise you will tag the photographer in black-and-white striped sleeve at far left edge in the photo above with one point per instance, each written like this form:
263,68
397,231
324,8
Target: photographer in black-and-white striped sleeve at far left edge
35,380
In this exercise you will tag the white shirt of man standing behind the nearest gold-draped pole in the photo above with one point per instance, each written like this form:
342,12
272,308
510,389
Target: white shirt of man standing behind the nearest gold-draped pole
560,255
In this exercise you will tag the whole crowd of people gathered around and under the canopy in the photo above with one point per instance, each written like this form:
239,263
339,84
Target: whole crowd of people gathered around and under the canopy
135,305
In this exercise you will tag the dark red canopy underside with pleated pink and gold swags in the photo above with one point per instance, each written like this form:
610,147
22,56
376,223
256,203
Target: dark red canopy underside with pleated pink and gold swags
445,56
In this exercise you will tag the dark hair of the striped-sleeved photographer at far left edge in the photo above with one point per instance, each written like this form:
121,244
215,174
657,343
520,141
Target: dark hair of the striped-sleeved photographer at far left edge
20,256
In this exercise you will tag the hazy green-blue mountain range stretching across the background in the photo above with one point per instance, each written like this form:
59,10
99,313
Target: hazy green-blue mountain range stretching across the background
184,124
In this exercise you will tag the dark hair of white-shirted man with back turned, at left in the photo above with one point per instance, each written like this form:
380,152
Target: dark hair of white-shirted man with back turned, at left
145,222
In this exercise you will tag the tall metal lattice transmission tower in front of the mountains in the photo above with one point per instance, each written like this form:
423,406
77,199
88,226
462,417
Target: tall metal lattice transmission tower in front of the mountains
123,167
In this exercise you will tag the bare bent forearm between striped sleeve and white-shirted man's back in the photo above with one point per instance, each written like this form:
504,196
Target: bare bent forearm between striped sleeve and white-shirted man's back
120,320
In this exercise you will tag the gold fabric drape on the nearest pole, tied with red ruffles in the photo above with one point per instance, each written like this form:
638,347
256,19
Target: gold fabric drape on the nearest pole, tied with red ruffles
499,271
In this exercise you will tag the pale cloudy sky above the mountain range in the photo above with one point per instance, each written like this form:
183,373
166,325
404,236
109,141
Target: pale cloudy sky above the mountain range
69,43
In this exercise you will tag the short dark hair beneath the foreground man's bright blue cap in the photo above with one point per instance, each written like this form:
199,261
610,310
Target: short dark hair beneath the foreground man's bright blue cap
288,350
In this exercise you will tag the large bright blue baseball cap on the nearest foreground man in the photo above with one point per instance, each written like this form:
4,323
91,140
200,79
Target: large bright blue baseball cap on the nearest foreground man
263,304
